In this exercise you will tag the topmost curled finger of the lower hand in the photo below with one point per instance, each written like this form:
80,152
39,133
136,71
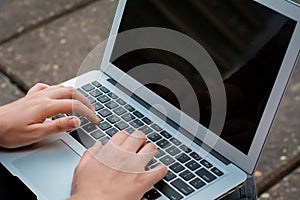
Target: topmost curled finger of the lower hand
134,142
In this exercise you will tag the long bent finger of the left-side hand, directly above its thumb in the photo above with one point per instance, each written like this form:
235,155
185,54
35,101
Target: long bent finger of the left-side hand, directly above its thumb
69,106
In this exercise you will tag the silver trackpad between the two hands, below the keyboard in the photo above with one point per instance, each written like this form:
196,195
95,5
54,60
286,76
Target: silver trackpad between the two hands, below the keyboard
50,169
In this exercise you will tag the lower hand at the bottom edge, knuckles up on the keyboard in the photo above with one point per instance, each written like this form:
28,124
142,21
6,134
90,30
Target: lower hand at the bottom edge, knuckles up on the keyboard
116,170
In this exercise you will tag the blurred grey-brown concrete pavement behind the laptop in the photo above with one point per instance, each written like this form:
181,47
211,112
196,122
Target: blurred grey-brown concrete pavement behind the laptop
43,41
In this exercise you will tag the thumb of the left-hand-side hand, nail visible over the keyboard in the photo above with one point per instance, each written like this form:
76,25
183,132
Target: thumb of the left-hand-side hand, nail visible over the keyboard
60,125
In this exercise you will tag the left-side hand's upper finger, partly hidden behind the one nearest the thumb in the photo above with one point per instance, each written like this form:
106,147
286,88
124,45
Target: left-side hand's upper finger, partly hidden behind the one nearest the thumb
62,92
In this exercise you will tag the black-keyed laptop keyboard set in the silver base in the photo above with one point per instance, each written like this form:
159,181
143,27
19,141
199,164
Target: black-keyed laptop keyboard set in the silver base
187,172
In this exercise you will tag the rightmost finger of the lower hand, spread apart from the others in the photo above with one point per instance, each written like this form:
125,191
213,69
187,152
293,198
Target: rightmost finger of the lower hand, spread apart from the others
154,175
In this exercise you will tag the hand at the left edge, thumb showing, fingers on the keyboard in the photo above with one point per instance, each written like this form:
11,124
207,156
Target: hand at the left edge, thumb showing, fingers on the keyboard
23,121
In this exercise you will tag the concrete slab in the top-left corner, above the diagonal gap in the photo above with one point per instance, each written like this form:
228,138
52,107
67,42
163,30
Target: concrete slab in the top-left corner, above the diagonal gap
20,16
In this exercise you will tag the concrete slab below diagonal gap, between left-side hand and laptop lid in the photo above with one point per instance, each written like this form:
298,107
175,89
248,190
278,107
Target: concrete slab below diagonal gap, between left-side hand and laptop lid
53,53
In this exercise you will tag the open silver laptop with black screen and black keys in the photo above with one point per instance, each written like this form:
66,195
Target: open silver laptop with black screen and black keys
202,79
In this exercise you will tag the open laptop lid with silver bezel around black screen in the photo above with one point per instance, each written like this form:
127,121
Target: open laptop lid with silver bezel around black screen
251,46
